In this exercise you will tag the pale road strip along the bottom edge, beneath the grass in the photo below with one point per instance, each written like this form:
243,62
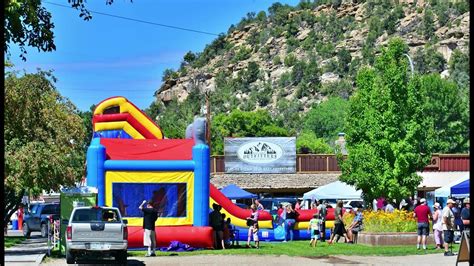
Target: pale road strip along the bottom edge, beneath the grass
230,260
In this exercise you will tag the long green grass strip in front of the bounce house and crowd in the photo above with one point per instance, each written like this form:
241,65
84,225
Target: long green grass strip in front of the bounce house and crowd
302,249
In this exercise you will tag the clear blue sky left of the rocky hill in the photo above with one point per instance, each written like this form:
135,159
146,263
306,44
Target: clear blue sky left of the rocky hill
108,56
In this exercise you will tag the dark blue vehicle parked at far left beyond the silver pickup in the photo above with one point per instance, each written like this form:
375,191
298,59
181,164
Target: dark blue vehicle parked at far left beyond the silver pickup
36,219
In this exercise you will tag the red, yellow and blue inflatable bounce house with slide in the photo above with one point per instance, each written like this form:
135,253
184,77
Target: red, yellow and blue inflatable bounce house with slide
129,161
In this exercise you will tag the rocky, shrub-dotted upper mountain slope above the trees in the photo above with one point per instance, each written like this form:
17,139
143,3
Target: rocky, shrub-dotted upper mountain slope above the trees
306,53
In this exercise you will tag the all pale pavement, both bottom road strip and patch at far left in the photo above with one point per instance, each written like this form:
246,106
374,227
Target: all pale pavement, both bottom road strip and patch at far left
33,250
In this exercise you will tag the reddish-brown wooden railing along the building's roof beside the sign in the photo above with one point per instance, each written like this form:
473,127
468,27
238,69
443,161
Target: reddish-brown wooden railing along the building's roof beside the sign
316,163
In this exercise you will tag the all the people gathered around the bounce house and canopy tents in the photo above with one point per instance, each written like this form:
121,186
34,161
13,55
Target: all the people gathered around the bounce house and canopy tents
444,222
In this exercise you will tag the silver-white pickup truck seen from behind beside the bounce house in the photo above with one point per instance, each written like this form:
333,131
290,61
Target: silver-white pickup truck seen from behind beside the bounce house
96,230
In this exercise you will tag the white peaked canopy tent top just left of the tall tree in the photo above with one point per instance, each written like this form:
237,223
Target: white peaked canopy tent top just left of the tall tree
334,190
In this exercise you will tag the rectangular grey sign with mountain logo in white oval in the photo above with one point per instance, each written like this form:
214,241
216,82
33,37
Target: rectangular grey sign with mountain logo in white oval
260,155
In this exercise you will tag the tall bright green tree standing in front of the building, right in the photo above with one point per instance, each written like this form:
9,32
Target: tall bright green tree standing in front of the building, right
389,135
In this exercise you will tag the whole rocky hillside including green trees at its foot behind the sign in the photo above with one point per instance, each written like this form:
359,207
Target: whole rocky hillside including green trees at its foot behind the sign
291,70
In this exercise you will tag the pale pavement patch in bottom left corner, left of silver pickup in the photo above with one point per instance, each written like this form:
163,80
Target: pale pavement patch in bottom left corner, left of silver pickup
28,253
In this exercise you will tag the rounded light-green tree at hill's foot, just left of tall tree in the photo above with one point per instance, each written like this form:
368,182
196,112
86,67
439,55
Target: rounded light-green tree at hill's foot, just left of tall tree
327,118
